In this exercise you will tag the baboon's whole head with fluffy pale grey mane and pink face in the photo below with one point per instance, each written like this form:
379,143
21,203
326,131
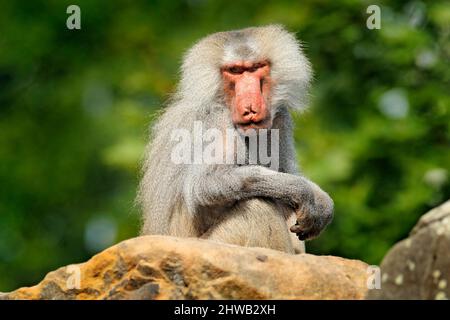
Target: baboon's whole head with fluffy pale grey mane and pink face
251,72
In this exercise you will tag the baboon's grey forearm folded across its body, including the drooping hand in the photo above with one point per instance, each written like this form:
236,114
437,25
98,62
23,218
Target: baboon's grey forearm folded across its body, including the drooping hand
225,186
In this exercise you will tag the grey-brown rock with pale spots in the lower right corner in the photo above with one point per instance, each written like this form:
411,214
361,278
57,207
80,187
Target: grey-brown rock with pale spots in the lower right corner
419,266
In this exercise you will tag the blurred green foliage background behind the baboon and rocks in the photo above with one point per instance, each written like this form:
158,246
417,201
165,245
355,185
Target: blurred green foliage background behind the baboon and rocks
75,106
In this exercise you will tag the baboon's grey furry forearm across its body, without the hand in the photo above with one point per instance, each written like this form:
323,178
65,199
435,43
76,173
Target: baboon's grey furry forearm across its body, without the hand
225,186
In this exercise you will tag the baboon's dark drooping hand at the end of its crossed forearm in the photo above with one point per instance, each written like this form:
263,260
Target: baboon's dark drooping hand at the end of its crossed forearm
314,213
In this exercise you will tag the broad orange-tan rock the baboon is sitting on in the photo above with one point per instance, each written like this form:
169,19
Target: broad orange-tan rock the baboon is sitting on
160,267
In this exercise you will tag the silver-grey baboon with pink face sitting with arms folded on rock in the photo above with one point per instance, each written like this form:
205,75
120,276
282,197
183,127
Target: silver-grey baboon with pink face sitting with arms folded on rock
239,81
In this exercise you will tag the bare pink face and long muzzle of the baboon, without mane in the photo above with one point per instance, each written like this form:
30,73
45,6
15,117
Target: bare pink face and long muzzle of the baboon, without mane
247,89
